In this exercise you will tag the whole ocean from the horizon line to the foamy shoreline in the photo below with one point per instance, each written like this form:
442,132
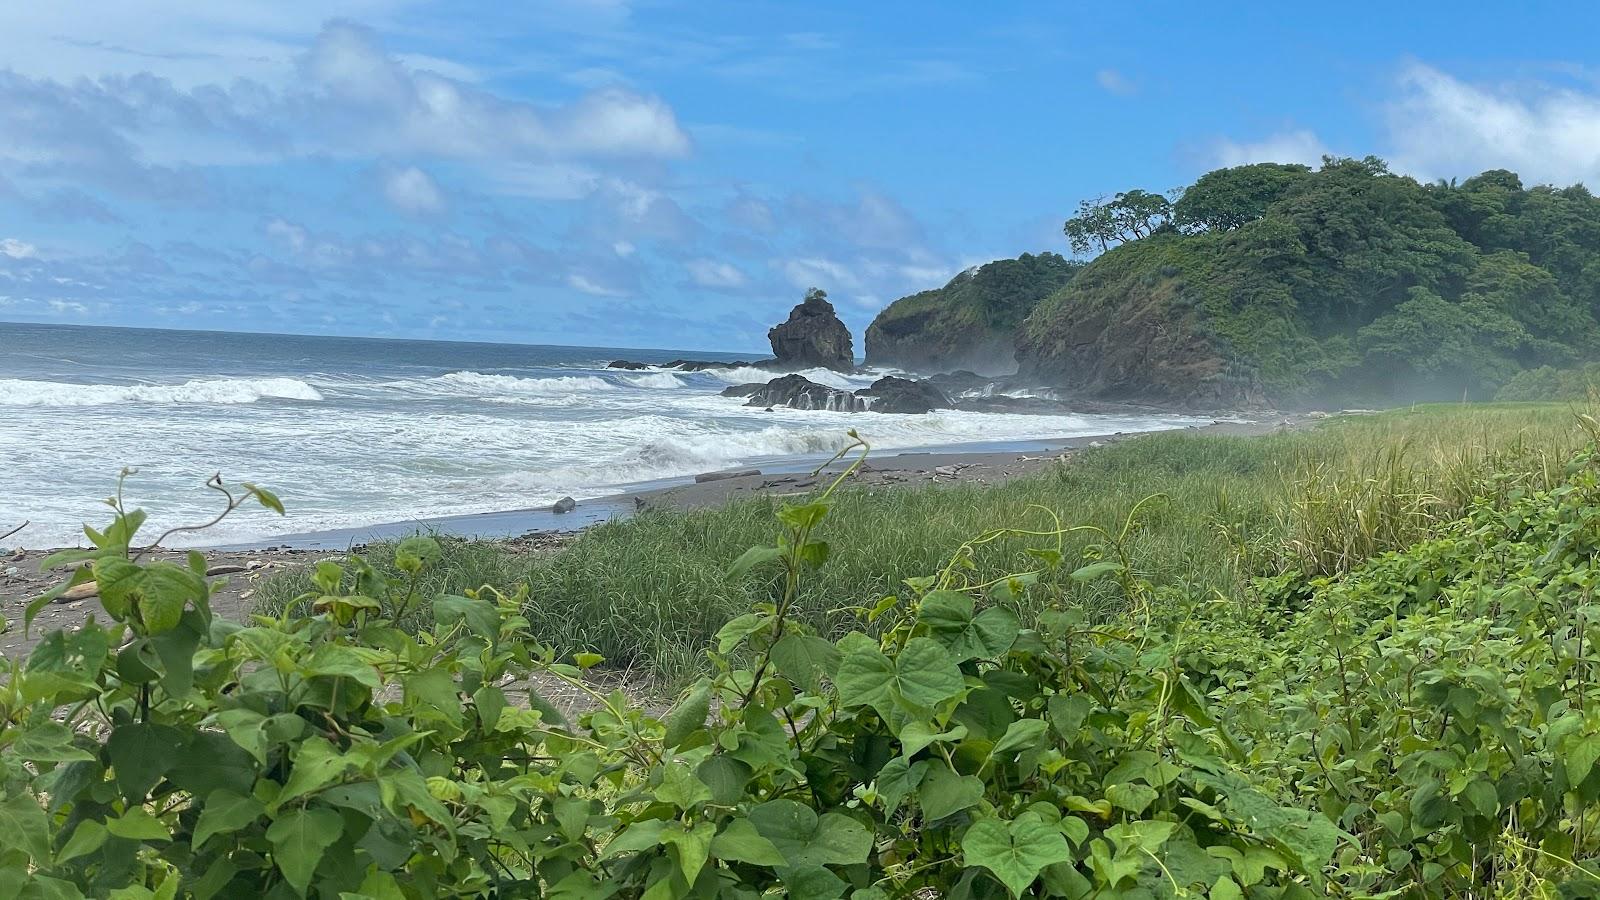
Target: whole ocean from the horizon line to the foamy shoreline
358,432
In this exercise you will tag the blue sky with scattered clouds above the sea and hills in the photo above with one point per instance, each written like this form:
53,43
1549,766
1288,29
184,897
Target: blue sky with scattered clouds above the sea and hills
663,174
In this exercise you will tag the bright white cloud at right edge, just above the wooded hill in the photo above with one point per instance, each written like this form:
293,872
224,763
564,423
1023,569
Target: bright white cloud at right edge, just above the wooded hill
1444,127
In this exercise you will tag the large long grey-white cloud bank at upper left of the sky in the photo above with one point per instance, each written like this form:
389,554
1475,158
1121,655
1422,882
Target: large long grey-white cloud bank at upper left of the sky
348,98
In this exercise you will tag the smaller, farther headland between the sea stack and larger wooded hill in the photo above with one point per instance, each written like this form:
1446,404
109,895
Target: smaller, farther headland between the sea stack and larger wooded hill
969,323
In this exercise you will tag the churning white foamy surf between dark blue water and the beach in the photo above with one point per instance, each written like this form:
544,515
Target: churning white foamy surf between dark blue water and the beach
393,448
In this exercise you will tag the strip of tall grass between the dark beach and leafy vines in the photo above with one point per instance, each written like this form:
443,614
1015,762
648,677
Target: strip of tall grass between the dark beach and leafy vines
650,592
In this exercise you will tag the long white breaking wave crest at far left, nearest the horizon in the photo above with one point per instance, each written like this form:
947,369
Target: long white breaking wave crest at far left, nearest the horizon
20,393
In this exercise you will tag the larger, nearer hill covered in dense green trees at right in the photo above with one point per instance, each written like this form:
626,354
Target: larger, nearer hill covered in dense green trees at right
1346,284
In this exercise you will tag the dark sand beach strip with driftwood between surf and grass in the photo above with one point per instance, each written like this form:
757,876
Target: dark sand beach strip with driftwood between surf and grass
540,531
